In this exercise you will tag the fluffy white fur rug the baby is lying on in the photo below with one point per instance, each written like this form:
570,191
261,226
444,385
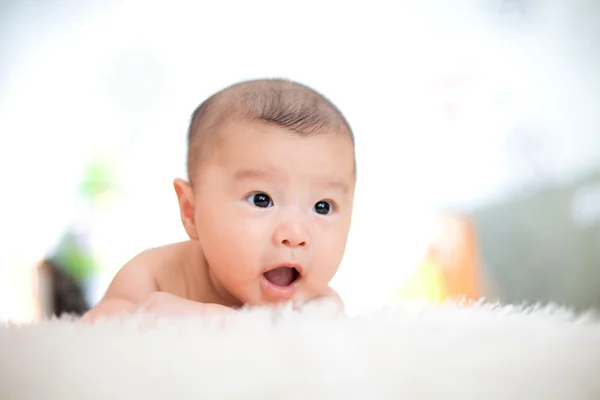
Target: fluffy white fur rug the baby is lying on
446,352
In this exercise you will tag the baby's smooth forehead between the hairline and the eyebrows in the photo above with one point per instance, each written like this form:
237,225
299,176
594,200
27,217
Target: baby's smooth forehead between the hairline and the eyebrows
268,147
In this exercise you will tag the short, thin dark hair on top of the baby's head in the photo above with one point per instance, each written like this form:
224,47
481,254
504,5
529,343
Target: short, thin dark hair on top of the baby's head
277,101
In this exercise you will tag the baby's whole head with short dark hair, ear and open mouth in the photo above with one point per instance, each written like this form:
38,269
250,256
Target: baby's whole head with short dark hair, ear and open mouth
271,186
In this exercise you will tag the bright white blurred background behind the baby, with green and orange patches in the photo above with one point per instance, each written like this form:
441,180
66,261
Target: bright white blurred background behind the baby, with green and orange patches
476,122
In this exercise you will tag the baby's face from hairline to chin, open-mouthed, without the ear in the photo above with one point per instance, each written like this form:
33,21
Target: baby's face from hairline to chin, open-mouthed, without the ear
273,211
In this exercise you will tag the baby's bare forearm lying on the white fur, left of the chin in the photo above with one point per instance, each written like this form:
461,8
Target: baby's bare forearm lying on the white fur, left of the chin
161,303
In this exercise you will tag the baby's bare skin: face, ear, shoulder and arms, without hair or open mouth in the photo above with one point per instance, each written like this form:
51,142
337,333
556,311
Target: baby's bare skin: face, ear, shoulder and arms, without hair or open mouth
235,239
